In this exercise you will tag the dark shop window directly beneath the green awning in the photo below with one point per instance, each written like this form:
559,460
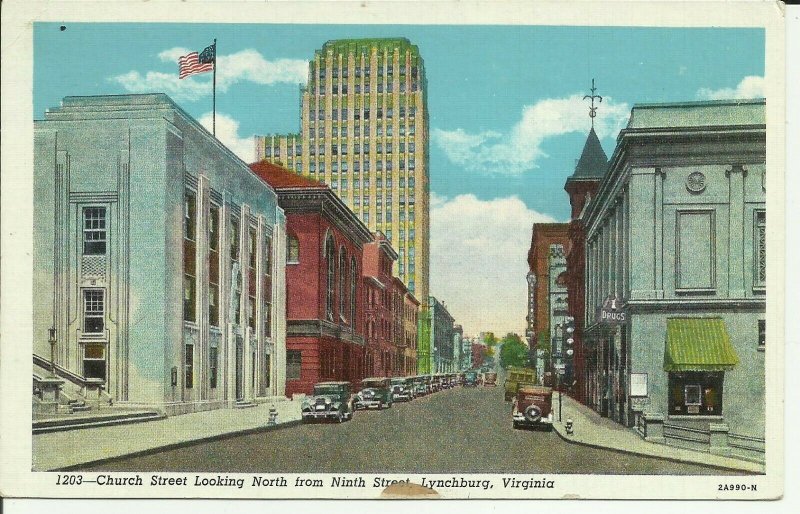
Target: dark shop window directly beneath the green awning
696,393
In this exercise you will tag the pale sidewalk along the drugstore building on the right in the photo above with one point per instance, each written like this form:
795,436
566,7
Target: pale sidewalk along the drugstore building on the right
591,429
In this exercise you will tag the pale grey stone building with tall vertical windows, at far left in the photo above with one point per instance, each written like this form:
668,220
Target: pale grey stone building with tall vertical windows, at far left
158,258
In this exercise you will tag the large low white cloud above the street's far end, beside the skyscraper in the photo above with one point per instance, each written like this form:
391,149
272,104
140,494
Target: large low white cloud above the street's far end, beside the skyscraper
479,254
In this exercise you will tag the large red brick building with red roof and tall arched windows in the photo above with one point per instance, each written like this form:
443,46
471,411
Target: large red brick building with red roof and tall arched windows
324,285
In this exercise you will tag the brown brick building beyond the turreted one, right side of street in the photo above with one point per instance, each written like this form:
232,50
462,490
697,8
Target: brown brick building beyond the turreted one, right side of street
544,237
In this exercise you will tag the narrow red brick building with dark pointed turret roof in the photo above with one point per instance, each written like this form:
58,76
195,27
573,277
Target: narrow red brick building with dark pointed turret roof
581,187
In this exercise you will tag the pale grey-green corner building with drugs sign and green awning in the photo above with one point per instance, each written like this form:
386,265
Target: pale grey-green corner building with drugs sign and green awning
676,237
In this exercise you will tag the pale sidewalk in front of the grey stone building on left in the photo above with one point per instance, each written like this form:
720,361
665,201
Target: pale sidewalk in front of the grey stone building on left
67,449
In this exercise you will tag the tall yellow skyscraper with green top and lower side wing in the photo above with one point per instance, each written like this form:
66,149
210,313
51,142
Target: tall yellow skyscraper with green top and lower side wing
364,131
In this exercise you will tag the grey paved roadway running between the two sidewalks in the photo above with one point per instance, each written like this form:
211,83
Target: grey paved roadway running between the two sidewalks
463,429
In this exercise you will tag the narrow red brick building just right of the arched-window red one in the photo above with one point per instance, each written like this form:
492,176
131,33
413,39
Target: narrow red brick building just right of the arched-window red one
378,323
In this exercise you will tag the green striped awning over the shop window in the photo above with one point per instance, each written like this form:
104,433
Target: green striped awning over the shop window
698,344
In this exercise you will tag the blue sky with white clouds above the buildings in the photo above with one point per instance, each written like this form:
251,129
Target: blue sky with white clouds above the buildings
506,117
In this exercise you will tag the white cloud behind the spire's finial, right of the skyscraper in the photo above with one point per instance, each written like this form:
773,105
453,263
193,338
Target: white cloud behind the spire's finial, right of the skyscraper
517,151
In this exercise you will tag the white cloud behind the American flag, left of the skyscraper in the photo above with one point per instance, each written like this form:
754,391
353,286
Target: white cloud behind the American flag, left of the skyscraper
243,66
